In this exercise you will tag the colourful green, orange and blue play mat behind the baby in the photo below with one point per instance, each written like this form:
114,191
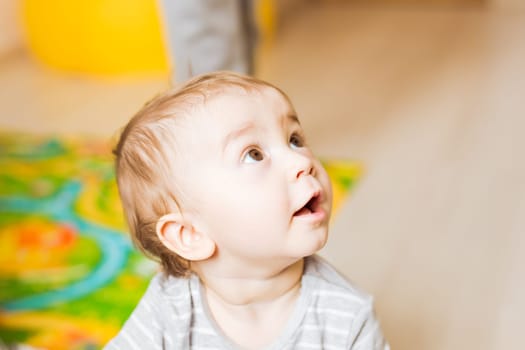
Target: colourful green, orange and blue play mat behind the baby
69,275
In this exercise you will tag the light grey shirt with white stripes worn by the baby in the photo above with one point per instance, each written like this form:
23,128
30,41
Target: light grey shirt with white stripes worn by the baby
330,314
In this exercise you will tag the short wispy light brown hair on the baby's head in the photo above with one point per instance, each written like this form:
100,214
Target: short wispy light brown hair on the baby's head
144,154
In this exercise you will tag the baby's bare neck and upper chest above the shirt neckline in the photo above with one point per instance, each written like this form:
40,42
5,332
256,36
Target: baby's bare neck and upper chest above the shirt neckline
253,312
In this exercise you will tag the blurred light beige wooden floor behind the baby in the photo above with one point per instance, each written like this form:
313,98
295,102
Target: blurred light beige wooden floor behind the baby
432,103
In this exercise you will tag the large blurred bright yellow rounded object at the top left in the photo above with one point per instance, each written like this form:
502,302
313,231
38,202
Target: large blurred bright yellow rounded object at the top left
101,37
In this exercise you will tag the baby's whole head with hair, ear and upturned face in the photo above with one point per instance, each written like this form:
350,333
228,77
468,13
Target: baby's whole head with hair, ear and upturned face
217,173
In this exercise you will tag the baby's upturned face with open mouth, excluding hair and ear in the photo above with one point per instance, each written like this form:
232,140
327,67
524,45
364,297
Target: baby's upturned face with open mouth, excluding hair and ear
253,184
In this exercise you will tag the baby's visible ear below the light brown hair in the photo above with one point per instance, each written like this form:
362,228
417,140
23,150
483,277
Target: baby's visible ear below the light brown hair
180,237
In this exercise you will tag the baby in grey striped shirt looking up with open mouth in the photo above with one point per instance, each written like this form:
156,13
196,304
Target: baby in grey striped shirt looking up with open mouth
218,184
